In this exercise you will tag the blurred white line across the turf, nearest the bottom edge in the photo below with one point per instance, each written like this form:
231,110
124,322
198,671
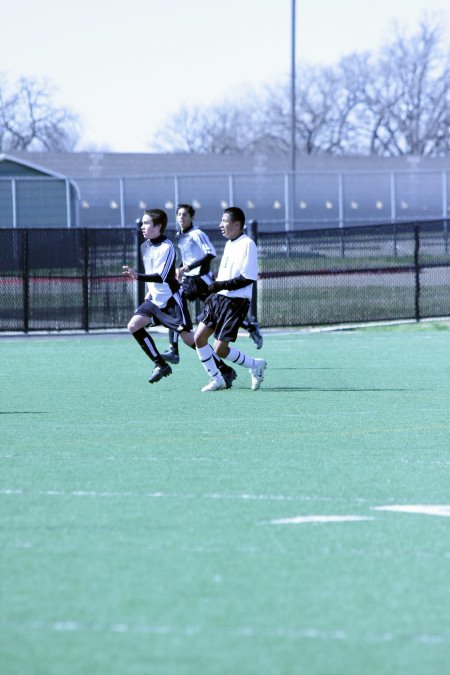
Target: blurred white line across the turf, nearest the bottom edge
286,633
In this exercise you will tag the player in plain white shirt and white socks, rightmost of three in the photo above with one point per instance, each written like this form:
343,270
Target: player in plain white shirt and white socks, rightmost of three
228,304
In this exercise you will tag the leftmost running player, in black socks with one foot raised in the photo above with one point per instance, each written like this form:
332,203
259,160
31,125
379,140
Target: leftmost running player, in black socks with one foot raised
164,302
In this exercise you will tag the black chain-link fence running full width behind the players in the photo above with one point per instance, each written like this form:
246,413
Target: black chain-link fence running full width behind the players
70,279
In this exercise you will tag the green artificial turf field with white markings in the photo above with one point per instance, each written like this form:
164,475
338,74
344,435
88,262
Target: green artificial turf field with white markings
158,530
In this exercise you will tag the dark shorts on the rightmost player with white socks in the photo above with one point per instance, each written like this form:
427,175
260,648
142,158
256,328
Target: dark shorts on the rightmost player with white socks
225,315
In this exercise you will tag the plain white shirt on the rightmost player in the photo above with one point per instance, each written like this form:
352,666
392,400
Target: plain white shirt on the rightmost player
240,257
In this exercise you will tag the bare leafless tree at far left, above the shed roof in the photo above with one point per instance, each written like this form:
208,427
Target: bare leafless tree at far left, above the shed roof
30,120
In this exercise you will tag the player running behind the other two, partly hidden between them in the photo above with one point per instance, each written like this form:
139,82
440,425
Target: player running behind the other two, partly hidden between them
197,252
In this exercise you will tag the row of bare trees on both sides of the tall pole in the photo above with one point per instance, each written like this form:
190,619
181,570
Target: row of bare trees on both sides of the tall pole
395,102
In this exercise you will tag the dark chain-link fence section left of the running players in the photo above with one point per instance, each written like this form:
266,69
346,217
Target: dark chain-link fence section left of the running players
54,279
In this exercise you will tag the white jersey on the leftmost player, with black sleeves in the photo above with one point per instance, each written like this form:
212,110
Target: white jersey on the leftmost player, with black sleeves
159,259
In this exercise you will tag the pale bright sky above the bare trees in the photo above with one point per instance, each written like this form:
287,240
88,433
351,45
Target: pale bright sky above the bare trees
125,67
